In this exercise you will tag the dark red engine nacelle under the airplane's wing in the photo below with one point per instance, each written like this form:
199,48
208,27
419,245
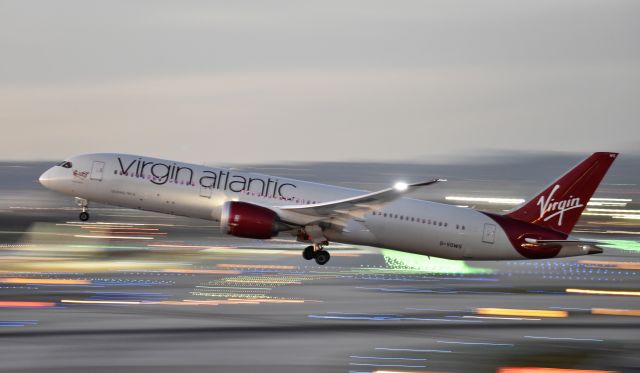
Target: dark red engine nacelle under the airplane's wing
247,220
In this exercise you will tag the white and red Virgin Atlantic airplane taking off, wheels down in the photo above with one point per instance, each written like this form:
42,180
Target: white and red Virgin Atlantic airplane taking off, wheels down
258,206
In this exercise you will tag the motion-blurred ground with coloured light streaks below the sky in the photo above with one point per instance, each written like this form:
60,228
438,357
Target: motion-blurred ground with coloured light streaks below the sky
140,291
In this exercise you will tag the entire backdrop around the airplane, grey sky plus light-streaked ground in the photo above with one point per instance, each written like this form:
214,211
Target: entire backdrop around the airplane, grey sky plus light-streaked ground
498,97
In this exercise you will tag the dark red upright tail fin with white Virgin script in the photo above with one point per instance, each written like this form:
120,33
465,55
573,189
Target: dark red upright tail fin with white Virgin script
560,205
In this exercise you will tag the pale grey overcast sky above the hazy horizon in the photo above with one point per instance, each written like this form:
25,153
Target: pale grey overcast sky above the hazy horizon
245,81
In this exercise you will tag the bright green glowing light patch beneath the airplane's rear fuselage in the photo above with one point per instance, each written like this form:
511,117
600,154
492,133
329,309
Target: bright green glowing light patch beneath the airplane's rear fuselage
421,263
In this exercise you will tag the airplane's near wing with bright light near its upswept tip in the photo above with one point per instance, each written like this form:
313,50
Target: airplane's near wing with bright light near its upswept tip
358,206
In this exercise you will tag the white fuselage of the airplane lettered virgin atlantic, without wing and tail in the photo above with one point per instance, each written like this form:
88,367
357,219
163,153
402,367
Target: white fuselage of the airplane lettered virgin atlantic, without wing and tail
195,191
